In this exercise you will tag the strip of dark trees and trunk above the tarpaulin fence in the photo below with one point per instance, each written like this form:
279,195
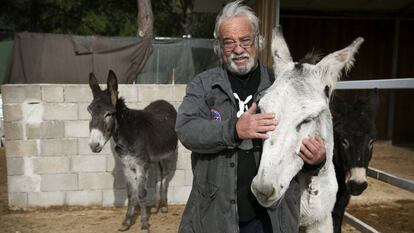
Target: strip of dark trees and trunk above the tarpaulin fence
170,18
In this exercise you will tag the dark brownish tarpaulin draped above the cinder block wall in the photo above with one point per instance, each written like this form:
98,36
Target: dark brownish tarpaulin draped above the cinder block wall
57,58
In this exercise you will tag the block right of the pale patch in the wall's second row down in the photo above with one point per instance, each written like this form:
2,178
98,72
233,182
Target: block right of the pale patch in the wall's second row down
60,111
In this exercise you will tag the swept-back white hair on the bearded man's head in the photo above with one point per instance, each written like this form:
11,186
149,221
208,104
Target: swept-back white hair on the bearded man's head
232,10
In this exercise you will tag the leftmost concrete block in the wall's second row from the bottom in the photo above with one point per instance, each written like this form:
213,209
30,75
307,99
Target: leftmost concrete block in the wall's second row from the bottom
18,184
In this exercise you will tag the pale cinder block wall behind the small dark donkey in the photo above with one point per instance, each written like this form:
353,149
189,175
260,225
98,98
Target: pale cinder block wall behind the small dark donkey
49,162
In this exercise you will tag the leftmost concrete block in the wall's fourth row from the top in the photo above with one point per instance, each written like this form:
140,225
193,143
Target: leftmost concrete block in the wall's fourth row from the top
19,148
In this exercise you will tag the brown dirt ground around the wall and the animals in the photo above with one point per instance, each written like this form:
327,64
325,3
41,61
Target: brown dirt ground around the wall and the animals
384,207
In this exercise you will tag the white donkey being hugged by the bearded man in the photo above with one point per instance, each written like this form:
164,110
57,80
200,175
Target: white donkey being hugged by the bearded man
300,98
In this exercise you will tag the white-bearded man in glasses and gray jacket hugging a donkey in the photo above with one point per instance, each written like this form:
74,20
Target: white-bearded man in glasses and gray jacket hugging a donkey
219,123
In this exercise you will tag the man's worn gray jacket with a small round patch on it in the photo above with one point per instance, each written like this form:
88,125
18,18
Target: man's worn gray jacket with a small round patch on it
212,205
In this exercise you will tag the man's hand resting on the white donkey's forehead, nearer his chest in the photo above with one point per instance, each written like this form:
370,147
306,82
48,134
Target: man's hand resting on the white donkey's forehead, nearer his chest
251,125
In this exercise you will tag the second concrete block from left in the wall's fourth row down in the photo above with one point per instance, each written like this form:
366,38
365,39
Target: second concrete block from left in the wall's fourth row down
54,147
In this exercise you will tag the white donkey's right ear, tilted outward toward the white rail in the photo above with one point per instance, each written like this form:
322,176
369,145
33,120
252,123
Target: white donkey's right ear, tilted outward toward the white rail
333,64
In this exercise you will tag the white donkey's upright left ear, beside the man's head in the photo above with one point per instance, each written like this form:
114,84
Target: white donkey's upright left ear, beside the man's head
280,51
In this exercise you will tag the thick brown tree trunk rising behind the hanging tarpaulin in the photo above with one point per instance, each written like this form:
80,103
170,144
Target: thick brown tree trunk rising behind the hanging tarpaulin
145,19
